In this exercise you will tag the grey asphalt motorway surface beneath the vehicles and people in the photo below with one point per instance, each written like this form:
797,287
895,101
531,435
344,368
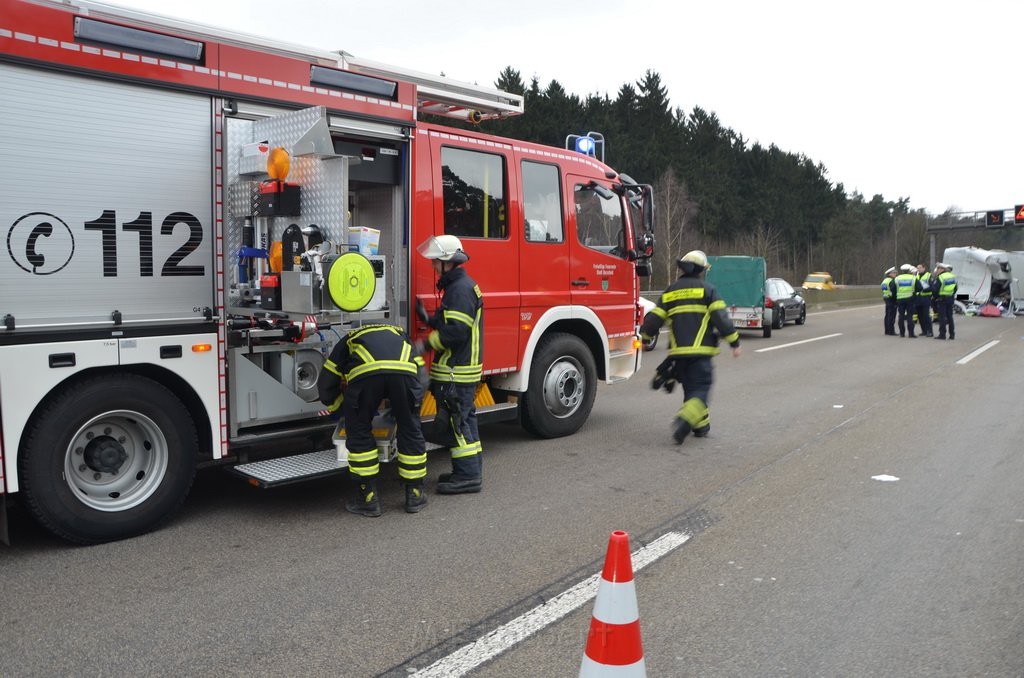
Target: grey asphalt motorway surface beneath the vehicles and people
798,562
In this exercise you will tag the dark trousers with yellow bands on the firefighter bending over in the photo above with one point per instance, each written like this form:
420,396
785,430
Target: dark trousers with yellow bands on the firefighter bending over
363,399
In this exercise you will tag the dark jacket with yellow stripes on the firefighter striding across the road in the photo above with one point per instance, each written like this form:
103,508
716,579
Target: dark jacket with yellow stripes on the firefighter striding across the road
698,318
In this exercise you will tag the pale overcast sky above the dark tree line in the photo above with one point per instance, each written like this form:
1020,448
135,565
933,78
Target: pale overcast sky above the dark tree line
908,100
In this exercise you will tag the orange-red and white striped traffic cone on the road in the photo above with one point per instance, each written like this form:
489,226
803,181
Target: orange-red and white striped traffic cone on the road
614,648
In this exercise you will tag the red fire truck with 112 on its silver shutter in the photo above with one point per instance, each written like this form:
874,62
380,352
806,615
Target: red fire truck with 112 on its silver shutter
194,218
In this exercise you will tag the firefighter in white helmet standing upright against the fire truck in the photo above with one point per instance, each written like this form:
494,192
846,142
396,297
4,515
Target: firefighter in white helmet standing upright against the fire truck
457,338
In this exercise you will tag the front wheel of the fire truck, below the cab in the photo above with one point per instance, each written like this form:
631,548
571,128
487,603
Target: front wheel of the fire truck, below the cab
563,387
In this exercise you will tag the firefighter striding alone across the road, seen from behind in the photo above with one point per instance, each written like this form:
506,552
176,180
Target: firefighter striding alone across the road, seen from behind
698,320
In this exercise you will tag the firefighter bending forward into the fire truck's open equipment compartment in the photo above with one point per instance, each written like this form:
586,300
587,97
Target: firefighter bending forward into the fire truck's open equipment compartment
370,364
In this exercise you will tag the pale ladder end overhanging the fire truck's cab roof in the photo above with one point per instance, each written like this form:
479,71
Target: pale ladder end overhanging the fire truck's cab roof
444,97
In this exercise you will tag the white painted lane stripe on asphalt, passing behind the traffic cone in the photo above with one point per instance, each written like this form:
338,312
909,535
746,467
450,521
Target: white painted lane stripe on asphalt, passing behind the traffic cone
470,657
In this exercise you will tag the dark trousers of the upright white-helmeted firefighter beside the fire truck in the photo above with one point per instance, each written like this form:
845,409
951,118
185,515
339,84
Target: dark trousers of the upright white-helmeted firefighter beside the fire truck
455,428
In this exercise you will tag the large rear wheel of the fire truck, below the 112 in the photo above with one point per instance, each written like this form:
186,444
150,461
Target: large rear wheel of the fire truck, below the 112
108,458
